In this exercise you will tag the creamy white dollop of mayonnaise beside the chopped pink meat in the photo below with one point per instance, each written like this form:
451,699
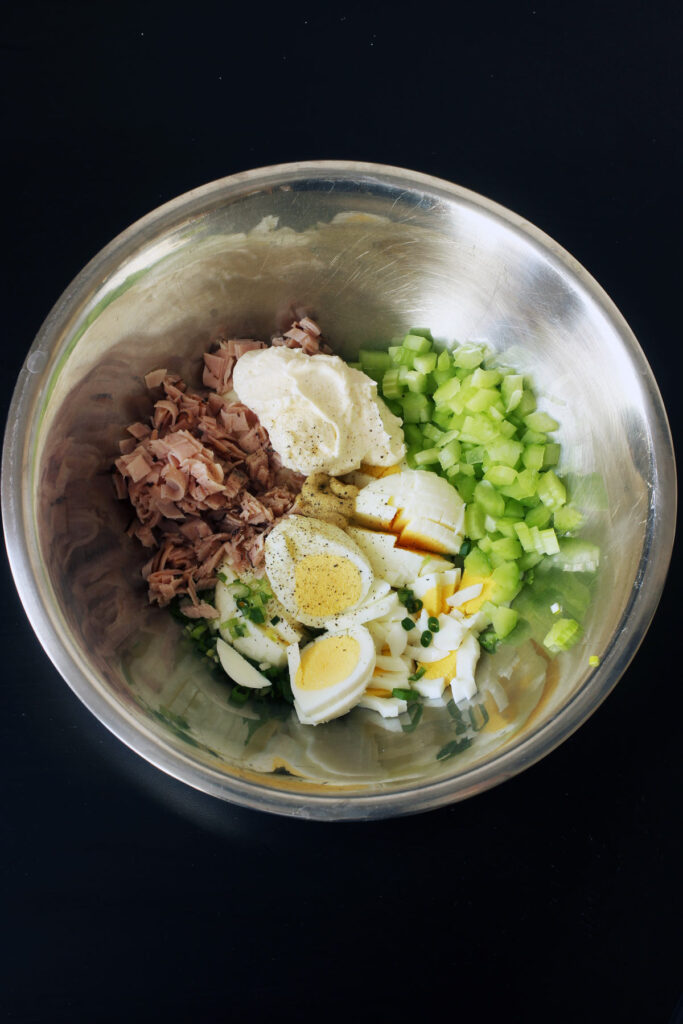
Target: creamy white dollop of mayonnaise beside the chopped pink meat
322,415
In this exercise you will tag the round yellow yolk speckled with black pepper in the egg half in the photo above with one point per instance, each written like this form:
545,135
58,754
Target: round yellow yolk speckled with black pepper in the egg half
326,585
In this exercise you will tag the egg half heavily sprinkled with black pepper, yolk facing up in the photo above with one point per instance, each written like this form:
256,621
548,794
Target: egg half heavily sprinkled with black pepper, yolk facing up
316,570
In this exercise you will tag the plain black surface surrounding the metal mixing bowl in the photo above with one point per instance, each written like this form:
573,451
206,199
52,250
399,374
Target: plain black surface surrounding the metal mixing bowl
556,898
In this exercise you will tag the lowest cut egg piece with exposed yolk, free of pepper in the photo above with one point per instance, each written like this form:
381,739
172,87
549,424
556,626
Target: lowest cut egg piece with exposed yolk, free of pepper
330,675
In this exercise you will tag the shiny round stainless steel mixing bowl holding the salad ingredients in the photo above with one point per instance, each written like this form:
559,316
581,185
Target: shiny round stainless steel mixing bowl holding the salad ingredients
370,251
